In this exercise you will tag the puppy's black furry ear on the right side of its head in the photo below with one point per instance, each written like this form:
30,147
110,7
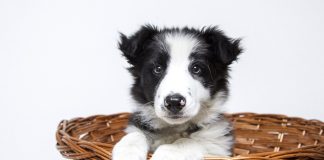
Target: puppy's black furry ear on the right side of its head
225,48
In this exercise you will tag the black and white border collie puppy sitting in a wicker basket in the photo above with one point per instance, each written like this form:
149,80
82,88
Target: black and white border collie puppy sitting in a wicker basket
180,85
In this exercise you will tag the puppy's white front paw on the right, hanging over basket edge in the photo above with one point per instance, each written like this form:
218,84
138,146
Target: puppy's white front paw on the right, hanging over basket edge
172,152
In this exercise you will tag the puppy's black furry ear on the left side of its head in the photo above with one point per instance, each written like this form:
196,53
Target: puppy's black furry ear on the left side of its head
133,46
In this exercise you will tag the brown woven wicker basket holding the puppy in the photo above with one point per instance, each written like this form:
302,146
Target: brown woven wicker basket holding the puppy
257,136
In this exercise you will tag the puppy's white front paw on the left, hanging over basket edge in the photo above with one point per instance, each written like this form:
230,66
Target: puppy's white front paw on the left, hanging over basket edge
133,146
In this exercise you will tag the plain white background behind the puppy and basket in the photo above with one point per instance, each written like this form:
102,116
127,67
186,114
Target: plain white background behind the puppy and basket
59,60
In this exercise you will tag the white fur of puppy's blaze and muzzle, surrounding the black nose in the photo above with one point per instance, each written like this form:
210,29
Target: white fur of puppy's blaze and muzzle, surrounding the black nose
179,80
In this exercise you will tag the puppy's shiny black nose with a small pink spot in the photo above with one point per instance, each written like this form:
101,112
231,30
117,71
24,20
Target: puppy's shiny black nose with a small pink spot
174,103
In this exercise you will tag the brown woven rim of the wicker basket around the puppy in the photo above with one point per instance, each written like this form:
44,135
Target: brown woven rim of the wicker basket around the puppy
66,140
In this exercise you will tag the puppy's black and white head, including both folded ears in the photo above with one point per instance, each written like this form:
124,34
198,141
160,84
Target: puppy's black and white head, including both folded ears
179,71
